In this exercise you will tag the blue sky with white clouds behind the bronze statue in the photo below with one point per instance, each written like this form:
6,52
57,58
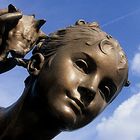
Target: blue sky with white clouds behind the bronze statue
119,18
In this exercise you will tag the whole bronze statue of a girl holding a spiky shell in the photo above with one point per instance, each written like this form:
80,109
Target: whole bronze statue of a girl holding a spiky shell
74,74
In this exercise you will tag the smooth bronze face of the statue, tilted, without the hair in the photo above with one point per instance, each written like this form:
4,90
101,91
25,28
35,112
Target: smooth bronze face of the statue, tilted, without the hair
79,81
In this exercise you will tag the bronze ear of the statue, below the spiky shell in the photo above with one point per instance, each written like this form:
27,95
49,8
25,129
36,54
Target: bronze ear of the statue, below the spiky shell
35,64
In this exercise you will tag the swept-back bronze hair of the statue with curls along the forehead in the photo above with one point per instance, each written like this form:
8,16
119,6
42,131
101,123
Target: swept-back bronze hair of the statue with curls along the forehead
88,32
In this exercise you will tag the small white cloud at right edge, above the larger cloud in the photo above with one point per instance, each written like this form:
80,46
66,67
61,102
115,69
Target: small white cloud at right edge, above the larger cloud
135,66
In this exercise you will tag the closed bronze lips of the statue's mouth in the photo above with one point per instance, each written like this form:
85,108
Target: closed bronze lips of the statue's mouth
76,105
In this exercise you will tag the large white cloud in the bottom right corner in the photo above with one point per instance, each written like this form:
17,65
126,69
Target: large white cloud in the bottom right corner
124,124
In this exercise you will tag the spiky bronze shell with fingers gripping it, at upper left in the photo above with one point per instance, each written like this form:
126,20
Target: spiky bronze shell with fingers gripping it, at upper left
18,35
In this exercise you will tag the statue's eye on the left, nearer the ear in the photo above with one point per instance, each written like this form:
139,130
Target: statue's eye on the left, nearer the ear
82,65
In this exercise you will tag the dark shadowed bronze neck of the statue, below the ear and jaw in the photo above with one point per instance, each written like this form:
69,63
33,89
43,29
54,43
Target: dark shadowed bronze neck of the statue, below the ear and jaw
29,119
